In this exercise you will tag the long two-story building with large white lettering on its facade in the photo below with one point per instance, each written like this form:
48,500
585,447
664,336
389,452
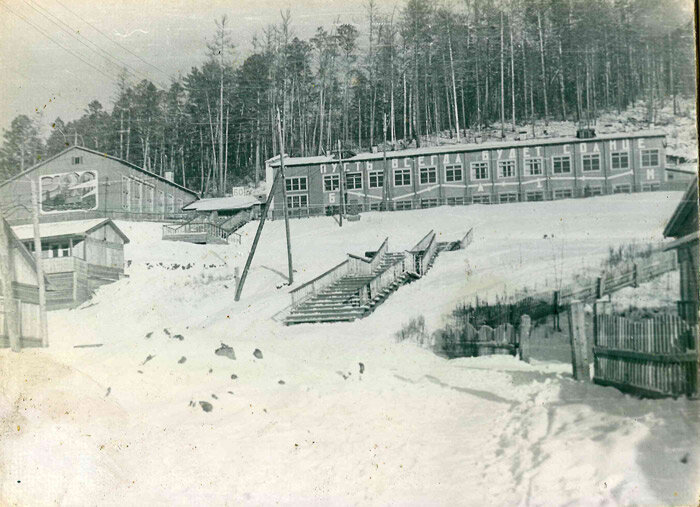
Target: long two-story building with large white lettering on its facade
487,173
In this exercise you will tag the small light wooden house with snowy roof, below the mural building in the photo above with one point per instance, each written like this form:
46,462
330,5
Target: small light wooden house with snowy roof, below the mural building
77,257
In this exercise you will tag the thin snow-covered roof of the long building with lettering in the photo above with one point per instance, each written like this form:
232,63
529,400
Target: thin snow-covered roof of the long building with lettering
453,148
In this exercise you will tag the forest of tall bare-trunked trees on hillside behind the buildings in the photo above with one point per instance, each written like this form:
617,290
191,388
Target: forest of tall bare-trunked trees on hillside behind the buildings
402,76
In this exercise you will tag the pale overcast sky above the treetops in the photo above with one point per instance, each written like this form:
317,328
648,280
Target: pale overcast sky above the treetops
170,35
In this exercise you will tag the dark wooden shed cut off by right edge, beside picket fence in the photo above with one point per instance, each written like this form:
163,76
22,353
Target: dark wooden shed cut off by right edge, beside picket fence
683,226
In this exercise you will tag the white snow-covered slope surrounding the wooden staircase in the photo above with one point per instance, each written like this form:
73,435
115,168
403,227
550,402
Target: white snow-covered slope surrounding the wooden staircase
305,423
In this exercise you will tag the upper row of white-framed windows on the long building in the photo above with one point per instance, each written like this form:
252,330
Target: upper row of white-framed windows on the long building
479,171
